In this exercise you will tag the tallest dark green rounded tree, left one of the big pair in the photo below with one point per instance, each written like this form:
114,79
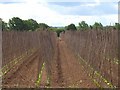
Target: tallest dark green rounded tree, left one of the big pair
16,24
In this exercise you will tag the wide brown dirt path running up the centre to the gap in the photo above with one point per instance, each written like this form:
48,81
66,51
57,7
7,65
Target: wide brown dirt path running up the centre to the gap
69,72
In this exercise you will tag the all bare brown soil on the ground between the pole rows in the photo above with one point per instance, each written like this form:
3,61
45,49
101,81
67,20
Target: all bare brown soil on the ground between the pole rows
66,71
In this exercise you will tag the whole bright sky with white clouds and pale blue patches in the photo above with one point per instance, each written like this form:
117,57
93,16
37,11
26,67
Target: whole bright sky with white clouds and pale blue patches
61,12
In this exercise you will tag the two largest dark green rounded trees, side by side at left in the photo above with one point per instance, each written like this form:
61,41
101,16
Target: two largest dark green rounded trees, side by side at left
21,25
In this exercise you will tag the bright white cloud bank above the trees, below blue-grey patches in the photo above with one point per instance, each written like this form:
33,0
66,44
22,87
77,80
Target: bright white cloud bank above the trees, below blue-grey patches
42,13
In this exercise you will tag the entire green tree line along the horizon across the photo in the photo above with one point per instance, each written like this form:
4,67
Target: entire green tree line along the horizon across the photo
17,24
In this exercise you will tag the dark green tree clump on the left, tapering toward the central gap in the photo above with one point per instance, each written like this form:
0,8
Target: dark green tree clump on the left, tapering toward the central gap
18,24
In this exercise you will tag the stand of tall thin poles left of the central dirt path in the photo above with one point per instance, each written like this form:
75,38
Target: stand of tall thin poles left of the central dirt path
17,45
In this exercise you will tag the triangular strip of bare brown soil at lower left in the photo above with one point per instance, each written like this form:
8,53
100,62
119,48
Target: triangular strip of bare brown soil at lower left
25,75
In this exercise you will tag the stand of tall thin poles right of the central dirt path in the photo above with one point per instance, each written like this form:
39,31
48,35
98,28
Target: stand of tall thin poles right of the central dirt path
99,49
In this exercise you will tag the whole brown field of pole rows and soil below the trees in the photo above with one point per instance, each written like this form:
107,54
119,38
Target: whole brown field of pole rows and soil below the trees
77,59
